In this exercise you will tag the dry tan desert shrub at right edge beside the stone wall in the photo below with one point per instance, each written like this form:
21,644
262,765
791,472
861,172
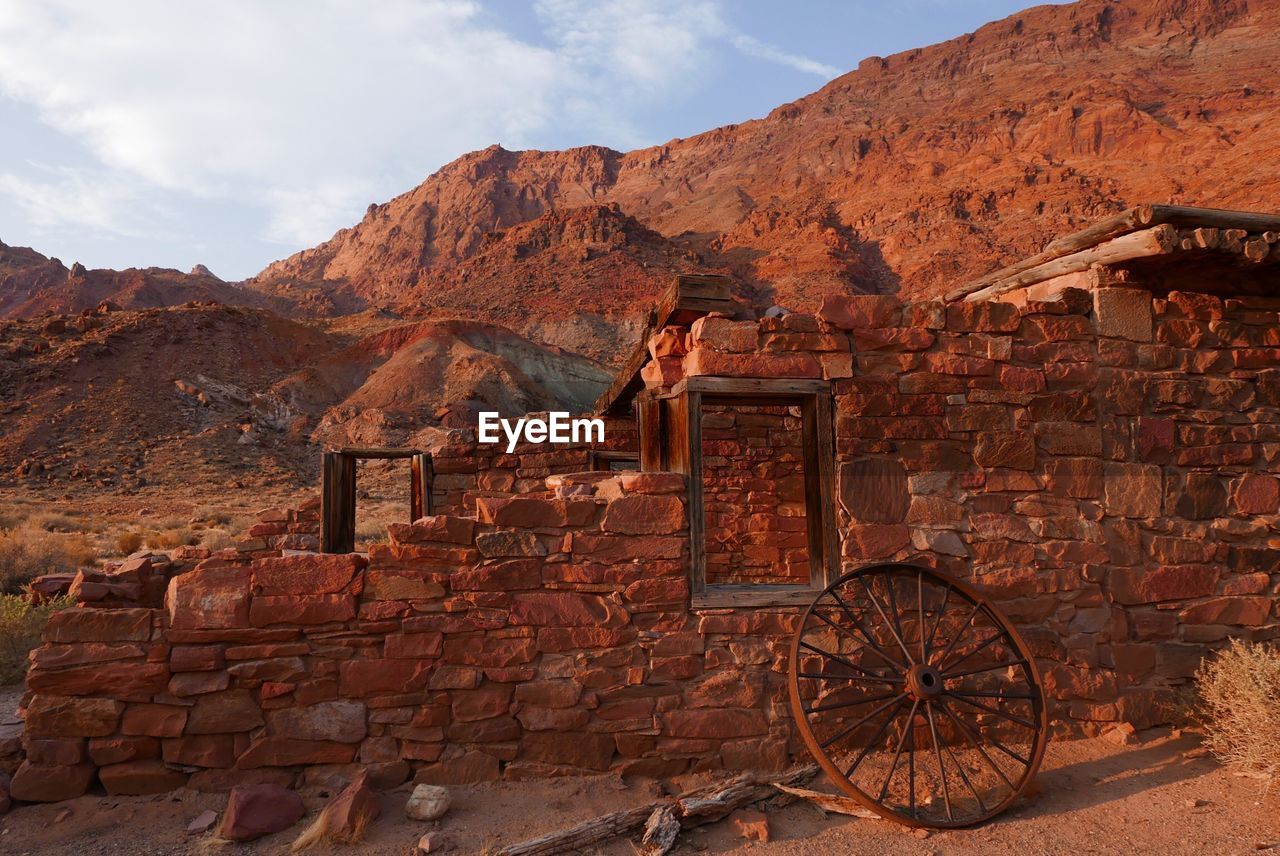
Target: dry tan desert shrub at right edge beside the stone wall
1240,692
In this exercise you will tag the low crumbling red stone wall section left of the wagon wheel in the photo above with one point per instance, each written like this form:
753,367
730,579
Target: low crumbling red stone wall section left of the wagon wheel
551,634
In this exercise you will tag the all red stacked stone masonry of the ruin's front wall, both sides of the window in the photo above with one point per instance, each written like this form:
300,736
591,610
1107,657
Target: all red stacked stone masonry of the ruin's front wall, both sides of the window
1104,466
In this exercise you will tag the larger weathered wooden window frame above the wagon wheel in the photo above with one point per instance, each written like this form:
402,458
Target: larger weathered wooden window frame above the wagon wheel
680,414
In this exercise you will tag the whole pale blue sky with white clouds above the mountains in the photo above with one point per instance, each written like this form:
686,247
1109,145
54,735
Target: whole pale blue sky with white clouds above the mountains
234,134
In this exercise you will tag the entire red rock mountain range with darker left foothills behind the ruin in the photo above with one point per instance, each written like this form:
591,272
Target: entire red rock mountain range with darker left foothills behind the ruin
911,175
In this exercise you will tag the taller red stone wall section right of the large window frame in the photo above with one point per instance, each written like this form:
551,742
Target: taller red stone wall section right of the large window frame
1104,466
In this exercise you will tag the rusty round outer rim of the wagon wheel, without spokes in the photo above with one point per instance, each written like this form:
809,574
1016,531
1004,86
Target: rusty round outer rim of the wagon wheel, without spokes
834,773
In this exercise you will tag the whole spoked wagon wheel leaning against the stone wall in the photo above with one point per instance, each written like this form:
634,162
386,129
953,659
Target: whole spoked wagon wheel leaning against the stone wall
917,697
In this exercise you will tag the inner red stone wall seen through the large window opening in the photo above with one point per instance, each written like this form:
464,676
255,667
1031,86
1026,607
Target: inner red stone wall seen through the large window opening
753,495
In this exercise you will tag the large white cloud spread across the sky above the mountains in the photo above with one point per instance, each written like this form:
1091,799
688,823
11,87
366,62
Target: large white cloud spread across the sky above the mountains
308,111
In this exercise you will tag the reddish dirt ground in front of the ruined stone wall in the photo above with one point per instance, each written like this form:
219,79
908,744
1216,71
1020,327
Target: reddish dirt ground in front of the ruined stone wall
1092,798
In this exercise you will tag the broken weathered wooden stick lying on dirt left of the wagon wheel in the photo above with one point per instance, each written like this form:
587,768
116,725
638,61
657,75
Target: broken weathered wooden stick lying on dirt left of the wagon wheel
698,807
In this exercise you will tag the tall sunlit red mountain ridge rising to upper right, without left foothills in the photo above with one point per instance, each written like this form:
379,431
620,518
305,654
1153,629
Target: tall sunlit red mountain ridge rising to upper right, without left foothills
911,175
